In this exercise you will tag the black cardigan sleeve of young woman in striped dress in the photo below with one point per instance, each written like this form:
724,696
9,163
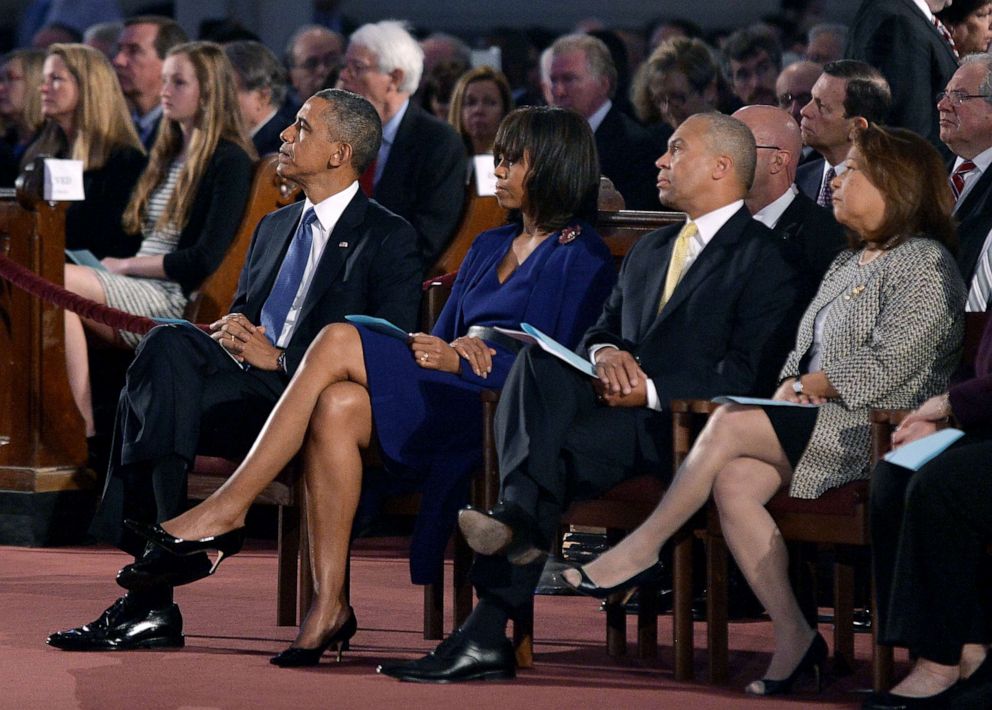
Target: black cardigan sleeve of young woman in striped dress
222,195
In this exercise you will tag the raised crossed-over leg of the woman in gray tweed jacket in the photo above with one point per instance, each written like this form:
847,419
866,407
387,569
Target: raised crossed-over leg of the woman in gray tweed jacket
732,432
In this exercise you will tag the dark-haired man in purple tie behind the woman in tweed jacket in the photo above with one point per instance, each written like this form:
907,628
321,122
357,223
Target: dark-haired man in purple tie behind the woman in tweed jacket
848,95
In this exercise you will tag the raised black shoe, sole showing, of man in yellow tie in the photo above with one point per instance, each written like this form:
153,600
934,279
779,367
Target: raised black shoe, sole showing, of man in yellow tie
506,529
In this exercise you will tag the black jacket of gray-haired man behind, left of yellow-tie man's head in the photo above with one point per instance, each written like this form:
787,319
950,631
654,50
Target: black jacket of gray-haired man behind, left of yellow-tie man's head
627,153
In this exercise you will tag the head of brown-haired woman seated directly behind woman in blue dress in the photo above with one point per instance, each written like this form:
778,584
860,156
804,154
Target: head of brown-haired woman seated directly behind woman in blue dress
479,102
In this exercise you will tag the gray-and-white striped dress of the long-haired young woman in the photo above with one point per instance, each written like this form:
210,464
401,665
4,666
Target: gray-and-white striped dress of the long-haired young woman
158,298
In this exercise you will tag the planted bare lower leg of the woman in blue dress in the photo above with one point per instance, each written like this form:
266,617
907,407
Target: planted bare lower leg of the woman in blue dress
341,426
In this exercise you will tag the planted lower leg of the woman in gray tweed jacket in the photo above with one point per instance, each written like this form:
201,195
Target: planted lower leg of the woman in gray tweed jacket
741,491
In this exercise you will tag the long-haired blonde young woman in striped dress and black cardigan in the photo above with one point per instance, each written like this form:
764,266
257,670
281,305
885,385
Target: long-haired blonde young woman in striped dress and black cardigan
186,205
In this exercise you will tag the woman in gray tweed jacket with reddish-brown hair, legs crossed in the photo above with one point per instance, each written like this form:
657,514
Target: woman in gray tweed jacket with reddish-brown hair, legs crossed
884,330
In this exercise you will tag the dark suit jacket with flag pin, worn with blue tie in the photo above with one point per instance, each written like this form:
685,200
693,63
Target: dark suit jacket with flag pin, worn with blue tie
370,265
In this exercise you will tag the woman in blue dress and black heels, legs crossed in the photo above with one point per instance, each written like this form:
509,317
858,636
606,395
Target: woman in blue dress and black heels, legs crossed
419,398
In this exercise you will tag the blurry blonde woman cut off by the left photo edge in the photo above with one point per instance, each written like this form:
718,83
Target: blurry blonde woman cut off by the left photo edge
20,107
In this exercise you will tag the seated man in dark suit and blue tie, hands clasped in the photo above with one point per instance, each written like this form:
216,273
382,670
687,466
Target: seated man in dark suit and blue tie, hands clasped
190,393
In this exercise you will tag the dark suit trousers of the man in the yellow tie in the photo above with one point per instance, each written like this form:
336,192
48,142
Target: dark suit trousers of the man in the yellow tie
556,445
